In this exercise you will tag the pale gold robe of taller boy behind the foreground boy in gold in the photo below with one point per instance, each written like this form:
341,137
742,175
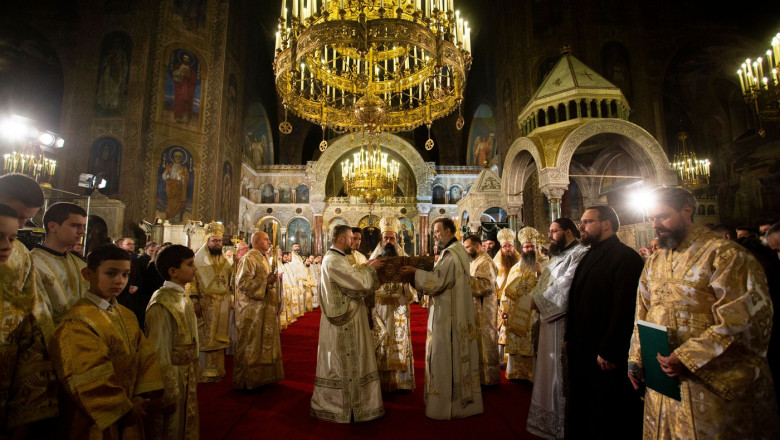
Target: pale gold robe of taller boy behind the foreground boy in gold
59,276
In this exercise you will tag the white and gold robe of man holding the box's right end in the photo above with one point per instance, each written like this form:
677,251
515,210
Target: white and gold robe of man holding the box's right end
452,387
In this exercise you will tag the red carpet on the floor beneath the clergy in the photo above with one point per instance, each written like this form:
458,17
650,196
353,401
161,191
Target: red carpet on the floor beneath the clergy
282,410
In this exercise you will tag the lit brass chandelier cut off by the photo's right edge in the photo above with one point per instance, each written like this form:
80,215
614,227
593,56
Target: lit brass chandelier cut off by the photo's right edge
760,86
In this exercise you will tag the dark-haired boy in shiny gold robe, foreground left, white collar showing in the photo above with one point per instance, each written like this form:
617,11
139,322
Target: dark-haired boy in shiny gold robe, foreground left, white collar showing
107,368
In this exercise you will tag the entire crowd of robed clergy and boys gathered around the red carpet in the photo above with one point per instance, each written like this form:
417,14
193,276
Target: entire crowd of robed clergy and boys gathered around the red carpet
113,345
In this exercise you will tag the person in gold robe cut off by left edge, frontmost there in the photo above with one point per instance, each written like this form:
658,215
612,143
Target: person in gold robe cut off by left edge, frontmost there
28,392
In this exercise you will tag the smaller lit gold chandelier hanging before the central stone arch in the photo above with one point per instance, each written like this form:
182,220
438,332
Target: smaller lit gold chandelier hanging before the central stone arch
370,175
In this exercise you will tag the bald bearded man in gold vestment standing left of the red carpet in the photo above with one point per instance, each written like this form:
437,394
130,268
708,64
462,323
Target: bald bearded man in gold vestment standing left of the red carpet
210,293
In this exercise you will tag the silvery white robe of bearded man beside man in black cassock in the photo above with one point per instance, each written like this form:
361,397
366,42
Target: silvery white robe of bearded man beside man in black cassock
546,416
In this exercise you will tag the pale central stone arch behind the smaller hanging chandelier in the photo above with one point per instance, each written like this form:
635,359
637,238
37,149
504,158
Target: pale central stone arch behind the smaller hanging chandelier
318,171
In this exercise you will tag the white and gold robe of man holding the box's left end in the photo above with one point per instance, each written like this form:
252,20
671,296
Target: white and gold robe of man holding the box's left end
346,384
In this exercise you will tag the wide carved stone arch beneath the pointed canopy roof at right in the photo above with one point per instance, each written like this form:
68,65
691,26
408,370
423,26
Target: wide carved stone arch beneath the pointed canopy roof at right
642,147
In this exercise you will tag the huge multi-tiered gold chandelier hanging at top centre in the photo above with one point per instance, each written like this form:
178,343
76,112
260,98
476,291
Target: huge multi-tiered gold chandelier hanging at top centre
371,65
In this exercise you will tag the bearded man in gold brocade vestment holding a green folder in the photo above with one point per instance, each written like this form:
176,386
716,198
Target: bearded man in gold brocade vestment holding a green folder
712,296
